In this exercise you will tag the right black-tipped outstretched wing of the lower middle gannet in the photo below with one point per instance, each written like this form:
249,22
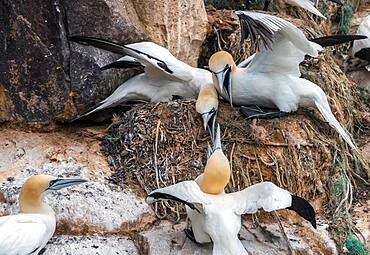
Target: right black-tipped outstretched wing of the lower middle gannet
270,197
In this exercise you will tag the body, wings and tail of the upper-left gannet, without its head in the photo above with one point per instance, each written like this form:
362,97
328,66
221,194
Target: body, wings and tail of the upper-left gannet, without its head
165,76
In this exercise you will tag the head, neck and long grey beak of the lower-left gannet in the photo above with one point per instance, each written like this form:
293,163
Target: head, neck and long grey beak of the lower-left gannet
35,187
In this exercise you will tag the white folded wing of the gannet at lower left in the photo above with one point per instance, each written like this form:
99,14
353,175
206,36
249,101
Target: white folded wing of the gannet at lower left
21,234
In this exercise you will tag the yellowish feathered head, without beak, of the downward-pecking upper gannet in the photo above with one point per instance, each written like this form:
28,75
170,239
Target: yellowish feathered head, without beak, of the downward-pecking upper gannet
207,99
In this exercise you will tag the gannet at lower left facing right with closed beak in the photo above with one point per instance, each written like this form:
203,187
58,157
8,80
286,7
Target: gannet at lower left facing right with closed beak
28,232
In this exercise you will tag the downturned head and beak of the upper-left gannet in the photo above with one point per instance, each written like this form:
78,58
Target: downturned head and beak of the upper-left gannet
207,106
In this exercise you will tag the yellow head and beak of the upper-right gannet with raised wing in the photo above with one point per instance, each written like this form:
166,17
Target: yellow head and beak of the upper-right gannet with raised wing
221,65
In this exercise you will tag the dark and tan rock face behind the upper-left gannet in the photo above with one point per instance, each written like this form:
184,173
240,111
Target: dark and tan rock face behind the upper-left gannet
45,78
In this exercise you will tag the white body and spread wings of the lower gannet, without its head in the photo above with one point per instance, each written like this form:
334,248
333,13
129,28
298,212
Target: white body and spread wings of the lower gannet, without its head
219,216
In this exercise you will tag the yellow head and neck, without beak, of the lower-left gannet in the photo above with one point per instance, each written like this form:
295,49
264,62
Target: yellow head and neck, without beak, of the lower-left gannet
32,194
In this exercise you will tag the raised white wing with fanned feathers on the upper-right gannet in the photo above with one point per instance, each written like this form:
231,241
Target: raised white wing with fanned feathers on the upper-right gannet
282,46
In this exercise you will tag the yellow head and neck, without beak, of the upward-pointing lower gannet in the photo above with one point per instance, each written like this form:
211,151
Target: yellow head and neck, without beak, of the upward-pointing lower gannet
216,174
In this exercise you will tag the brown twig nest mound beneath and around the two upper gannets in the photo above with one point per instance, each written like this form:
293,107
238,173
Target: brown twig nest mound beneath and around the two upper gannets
153,146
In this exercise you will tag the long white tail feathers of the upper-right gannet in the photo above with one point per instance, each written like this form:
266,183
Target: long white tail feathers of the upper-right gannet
322,104
